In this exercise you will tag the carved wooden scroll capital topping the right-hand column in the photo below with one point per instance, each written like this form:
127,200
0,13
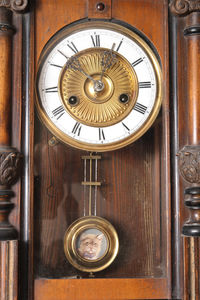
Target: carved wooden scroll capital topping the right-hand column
184,7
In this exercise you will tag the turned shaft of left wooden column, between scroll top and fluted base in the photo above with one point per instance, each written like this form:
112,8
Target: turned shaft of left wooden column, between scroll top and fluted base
9,157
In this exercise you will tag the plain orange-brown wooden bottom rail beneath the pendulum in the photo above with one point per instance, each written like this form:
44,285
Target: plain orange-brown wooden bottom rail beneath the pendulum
101,289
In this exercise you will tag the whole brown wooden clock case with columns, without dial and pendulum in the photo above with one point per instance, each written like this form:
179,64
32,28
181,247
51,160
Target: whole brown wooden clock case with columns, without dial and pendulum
141,192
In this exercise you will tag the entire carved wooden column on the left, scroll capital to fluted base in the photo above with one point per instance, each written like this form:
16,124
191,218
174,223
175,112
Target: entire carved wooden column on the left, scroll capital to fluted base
10,158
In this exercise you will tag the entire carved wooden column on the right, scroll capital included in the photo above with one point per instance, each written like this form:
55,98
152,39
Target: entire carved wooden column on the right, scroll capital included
188,12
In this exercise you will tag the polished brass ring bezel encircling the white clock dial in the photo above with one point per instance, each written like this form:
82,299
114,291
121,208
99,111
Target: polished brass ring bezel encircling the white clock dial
63,137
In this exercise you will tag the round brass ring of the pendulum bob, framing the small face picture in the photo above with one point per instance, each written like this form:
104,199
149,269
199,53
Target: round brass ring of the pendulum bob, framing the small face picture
72,237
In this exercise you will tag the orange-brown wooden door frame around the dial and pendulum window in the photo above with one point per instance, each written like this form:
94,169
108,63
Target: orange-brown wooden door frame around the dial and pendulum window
155,288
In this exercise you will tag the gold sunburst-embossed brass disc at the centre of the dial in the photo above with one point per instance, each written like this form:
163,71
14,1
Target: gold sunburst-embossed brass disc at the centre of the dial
98,106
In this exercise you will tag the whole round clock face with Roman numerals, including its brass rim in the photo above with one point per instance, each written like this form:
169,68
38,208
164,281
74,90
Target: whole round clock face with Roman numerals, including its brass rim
98,86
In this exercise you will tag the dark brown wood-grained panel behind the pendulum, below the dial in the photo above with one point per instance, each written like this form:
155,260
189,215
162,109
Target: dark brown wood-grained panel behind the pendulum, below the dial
129,198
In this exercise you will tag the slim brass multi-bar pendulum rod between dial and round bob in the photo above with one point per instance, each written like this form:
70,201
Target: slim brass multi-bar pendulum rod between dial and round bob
91,182
